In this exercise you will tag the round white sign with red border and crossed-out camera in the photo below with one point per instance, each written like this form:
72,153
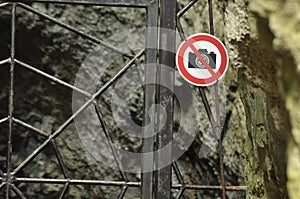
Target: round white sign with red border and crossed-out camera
202,59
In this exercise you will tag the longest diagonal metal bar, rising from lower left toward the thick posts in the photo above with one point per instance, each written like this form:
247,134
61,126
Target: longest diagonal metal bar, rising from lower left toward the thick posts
83,107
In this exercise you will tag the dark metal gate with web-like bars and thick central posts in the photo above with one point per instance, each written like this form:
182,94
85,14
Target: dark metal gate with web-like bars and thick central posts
157,184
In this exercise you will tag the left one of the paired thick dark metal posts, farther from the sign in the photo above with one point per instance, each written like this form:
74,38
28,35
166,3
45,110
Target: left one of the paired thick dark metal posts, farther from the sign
150,99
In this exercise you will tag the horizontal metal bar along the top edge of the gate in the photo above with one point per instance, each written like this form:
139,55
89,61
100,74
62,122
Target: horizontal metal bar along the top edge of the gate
123,3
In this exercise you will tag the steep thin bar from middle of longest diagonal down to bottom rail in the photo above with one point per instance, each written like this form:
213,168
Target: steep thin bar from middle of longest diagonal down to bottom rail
110,142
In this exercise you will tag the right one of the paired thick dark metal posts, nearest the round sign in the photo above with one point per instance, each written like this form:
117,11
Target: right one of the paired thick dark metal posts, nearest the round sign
166,98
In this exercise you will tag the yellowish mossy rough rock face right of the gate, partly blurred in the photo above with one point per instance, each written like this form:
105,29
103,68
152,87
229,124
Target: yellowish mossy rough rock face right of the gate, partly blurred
262,36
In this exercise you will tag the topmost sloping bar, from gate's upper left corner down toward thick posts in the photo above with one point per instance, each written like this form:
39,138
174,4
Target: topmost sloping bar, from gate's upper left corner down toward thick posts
74,30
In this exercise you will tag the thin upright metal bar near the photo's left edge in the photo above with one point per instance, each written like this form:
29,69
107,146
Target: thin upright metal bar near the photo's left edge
11,99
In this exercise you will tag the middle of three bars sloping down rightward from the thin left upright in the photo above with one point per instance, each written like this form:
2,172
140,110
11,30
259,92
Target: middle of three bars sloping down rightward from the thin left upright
54,79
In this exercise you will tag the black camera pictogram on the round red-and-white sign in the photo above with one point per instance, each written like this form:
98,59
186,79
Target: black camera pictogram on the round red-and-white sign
210,58
